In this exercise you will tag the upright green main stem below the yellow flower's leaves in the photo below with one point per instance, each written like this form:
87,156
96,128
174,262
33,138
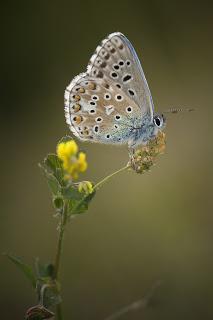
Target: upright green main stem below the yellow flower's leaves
62,225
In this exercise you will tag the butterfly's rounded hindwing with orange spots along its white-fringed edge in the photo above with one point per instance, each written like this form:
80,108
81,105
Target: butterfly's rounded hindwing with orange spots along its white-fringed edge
97,111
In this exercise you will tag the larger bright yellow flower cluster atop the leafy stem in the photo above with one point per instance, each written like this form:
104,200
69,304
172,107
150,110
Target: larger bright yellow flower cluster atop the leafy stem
72,161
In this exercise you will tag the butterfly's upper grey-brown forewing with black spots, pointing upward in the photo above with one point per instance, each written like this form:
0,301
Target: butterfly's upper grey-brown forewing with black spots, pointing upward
116,59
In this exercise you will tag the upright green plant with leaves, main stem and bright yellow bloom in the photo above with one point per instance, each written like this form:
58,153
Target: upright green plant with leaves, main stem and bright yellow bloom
68,200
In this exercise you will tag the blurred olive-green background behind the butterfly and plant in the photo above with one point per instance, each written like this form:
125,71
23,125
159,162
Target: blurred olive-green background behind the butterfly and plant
139,229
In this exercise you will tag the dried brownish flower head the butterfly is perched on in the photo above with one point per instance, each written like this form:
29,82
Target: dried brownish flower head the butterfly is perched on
144,157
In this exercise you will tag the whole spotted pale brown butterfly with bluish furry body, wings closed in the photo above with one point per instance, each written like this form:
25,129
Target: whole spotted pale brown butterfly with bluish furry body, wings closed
111,101
